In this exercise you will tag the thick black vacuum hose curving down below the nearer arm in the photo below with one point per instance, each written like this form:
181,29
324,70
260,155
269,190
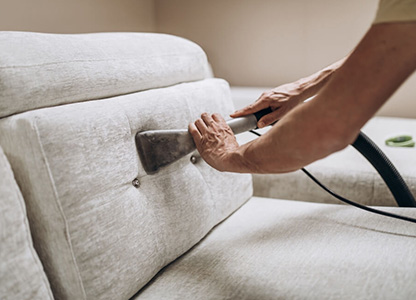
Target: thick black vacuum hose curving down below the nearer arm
386,169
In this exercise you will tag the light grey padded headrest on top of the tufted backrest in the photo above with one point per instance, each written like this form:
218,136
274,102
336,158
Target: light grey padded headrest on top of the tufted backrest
41,70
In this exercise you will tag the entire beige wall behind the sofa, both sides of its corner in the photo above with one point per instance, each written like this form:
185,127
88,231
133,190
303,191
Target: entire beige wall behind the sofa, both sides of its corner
248,42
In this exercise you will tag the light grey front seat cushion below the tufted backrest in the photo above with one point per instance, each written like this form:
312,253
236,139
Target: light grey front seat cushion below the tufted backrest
278,249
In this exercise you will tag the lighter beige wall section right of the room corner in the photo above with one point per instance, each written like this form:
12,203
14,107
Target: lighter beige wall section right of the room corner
270,42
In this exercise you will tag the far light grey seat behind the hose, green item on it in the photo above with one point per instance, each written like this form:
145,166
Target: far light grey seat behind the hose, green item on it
347,172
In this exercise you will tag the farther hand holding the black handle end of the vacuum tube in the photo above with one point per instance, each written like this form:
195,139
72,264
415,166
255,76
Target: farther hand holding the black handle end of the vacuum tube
280,99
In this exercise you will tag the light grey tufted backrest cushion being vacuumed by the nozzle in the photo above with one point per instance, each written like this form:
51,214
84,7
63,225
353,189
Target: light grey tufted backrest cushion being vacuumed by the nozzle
97,235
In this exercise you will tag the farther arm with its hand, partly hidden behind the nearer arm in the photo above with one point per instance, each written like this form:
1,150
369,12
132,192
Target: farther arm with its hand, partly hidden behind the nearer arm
285,97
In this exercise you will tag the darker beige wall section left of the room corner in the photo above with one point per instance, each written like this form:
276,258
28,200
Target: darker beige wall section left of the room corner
74,16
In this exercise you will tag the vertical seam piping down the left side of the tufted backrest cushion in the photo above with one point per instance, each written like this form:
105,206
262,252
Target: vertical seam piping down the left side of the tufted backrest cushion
51,181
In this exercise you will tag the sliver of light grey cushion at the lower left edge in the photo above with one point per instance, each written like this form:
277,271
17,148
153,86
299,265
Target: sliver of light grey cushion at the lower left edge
21,273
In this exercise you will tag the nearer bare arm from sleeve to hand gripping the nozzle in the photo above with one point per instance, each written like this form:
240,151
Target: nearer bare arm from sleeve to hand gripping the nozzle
381,62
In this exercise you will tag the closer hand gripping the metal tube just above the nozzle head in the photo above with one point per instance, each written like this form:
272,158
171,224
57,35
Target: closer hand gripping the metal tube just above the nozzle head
215,141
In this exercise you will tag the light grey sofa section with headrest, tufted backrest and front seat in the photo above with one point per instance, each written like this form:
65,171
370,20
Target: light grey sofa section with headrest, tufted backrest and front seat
81,219
